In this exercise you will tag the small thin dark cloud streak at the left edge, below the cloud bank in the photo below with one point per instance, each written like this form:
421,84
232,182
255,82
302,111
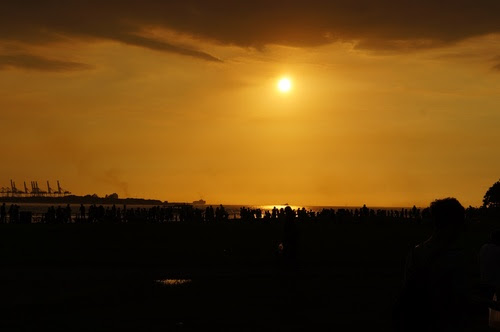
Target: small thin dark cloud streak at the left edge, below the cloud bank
33,62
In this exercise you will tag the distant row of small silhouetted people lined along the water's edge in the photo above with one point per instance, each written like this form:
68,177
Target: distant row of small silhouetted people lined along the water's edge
188,213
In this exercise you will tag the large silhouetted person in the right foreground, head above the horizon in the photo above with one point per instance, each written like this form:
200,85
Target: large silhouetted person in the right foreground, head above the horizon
435,289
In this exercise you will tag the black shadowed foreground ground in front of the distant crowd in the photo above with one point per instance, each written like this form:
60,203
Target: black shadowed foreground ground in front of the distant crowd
102,277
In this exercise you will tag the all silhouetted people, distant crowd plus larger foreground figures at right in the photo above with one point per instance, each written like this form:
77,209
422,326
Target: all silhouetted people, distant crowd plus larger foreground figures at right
436,294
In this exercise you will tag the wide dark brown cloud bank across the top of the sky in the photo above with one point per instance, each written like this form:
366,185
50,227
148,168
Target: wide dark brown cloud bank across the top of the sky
383,24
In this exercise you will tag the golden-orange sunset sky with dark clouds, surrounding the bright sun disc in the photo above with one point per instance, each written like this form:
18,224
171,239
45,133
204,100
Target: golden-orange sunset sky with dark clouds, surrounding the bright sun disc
391,105
